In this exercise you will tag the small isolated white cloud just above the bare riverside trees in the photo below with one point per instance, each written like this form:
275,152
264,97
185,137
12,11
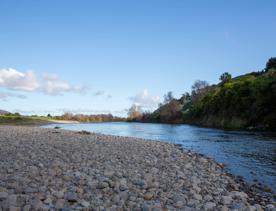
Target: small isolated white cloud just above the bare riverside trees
144,99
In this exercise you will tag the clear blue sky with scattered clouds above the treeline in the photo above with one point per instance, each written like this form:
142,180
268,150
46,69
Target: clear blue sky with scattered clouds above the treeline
103,56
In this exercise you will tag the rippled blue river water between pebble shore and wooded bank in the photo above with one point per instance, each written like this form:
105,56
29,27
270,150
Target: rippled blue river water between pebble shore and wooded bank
248,154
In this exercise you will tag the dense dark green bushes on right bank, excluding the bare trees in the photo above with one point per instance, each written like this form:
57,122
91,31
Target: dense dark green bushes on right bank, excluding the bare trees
247,101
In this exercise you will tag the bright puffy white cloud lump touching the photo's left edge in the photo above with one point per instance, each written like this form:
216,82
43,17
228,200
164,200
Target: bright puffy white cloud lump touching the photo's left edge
15,80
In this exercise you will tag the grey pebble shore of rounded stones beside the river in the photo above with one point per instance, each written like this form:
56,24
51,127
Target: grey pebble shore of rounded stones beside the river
53,169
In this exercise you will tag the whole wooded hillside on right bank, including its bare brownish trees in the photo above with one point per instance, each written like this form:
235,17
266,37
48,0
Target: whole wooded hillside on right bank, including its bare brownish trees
247,101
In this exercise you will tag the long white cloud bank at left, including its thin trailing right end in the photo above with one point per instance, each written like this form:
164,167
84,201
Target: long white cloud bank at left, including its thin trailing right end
28,81
